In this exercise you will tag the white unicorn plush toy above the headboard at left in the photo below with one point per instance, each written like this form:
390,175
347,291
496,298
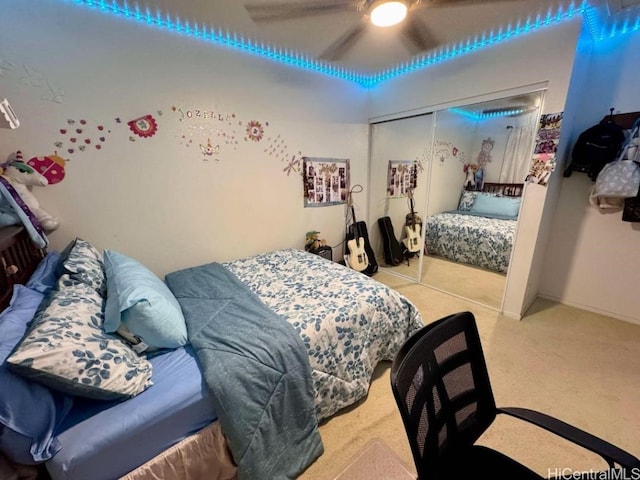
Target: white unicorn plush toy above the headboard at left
22,176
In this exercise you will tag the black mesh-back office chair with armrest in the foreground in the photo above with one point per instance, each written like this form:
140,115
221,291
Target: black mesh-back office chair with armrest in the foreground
440,382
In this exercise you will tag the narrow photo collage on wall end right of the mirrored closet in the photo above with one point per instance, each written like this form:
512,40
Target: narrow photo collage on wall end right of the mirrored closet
544,155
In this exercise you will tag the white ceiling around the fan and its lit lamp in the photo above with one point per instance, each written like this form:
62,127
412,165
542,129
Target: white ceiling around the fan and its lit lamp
378,48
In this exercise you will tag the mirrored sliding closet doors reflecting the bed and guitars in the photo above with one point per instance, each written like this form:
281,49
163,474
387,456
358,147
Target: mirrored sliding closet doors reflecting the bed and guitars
467,171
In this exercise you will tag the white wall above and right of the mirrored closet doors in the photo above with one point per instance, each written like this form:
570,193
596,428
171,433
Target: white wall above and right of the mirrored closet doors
543,57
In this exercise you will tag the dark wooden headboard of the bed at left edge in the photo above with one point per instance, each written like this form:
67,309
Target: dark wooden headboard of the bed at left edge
19,257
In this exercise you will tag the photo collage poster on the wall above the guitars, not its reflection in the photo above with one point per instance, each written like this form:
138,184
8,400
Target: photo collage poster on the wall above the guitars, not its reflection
326,181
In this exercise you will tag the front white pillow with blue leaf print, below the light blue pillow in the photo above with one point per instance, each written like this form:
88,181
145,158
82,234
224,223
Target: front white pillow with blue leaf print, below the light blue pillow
67,350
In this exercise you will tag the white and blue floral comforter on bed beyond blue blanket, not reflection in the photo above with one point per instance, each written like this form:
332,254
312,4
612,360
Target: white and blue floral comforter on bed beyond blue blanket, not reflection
348,322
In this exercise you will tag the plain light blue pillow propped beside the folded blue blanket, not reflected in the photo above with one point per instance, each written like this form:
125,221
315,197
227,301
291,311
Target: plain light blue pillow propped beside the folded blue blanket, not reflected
139,300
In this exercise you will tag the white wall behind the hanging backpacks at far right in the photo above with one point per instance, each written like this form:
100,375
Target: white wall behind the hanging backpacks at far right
592,258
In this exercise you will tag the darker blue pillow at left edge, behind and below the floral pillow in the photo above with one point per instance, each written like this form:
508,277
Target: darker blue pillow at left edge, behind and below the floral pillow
29,412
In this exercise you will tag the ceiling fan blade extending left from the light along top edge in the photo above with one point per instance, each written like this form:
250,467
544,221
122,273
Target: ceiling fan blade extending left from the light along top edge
270,12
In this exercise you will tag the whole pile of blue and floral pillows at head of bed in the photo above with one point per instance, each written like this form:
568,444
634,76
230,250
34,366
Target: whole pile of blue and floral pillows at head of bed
77,329
